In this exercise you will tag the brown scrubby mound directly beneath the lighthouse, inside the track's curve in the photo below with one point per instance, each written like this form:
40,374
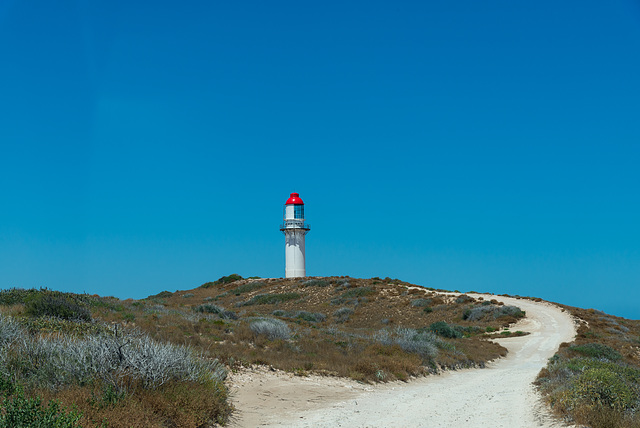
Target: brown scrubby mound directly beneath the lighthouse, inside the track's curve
366,329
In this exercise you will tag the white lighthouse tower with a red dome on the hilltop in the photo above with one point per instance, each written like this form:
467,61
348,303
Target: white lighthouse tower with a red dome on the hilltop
294,229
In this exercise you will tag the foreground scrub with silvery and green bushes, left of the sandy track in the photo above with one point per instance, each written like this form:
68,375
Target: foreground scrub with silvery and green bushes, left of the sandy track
61,367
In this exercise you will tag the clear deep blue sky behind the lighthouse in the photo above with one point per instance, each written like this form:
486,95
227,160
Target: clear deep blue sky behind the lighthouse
471,145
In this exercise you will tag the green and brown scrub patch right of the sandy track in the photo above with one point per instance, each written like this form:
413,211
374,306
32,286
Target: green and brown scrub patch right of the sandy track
595,381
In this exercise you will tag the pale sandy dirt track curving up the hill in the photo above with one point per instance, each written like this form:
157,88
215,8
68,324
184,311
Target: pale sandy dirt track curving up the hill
501,395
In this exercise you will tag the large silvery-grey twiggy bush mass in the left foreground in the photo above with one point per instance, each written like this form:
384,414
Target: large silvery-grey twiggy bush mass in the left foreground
115,359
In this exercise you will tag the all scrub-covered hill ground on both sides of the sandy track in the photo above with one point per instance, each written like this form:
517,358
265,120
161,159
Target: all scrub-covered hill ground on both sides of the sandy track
161,361
